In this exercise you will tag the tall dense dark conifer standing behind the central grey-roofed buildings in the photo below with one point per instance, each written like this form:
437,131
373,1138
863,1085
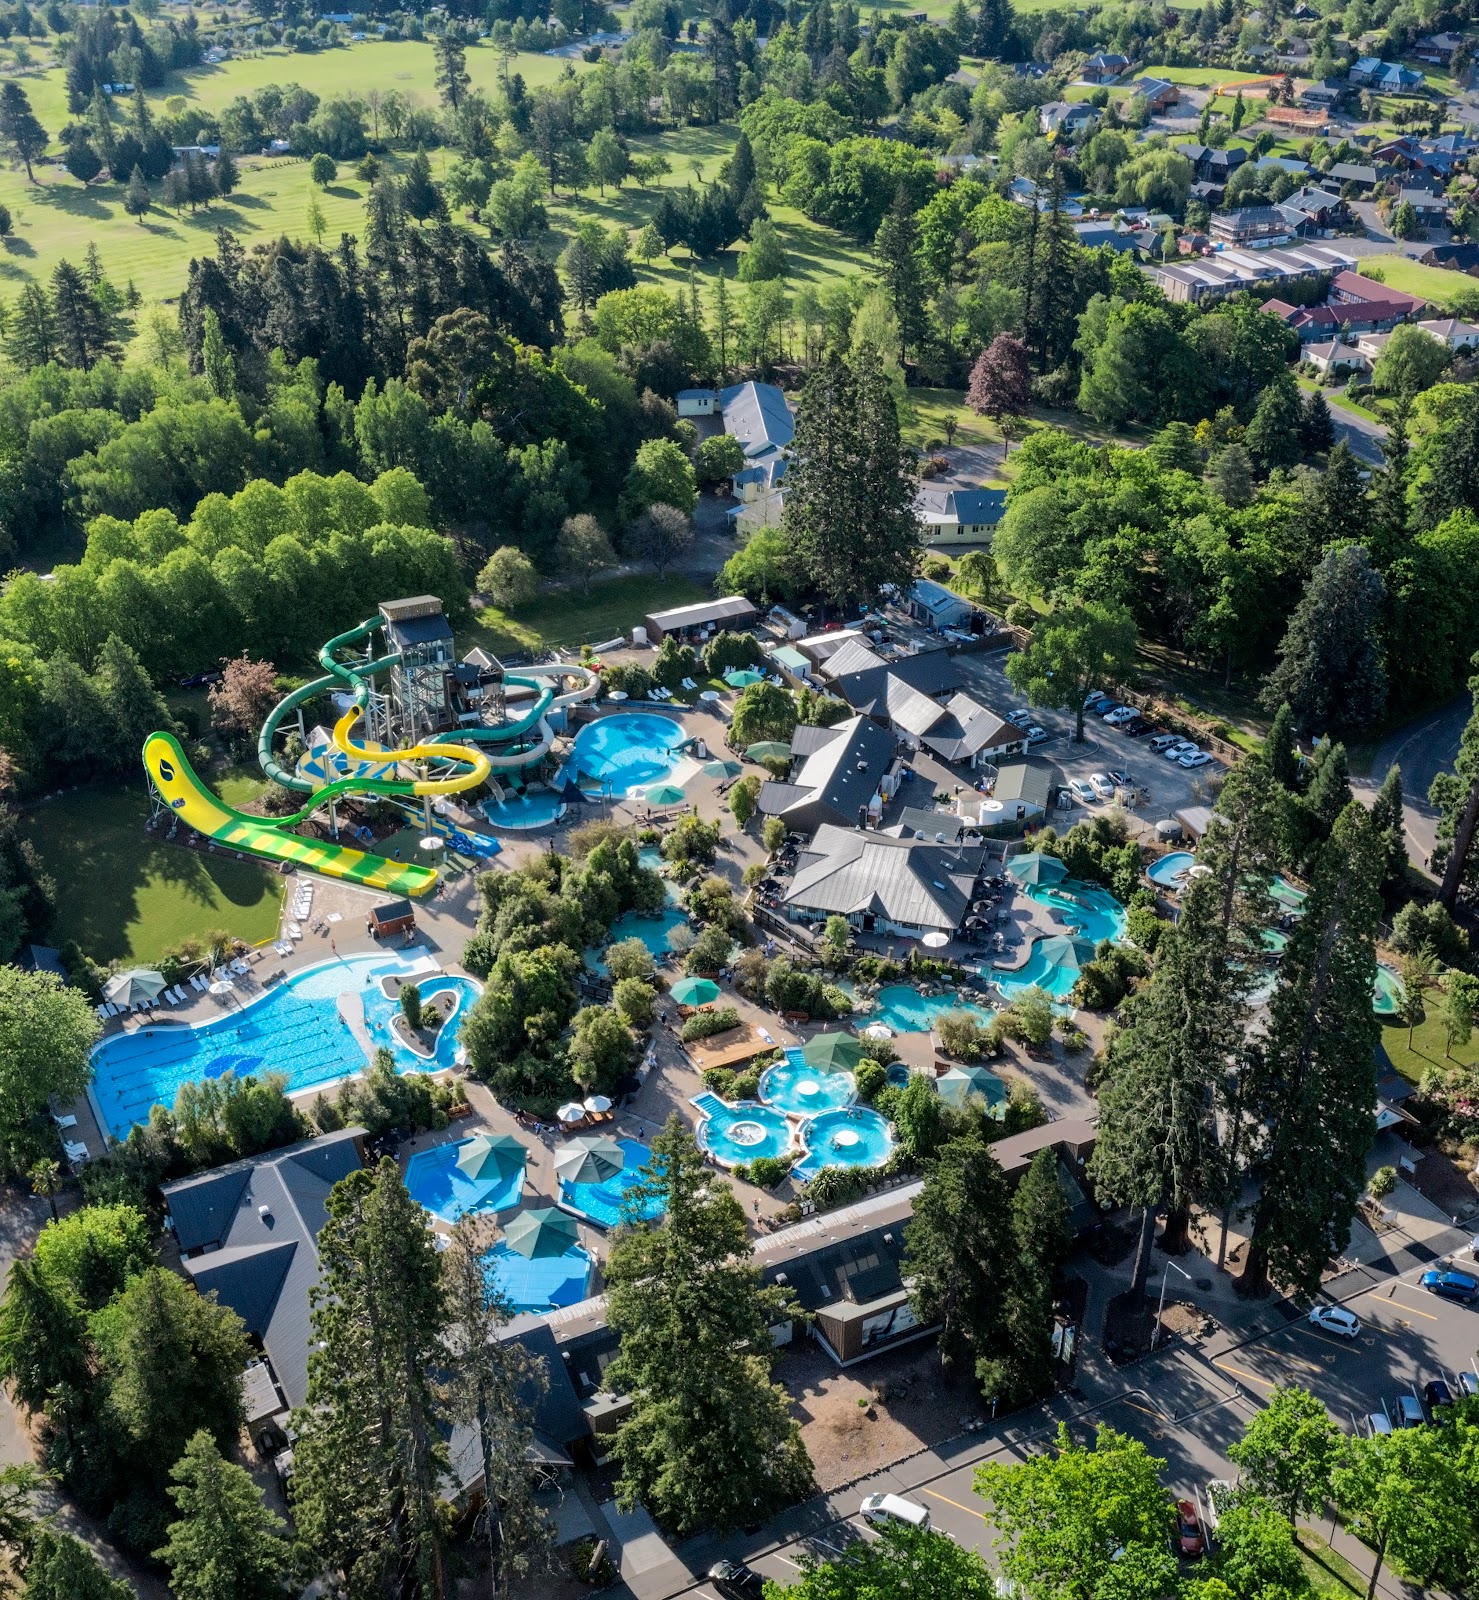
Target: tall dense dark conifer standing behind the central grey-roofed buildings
851,490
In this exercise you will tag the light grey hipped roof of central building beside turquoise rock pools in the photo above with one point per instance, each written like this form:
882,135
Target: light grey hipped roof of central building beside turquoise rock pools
884,884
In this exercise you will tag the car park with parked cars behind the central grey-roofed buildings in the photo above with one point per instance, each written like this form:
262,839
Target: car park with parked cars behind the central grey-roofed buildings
1104,750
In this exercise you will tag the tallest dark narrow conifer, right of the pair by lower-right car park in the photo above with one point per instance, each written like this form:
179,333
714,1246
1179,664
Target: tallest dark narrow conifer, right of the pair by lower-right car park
1312,1094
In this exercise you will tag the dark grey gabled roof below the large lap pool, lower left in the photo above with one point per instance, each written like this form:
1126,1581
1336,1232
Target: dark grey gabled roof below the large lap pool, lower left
249,1233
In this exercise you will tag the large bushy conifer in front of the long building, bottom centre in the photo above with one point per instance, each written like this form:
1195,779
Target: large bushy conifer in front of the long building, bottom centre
695,1327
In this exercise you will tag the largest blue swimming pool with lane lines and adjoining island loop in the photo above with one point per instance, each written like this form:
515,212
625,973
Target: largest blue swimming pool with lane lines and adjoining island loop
294,1030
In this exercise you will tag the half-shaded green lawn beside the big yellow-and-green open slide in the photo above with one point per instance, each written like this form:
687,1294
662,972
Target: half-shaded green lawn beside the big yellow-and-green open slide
124,895
